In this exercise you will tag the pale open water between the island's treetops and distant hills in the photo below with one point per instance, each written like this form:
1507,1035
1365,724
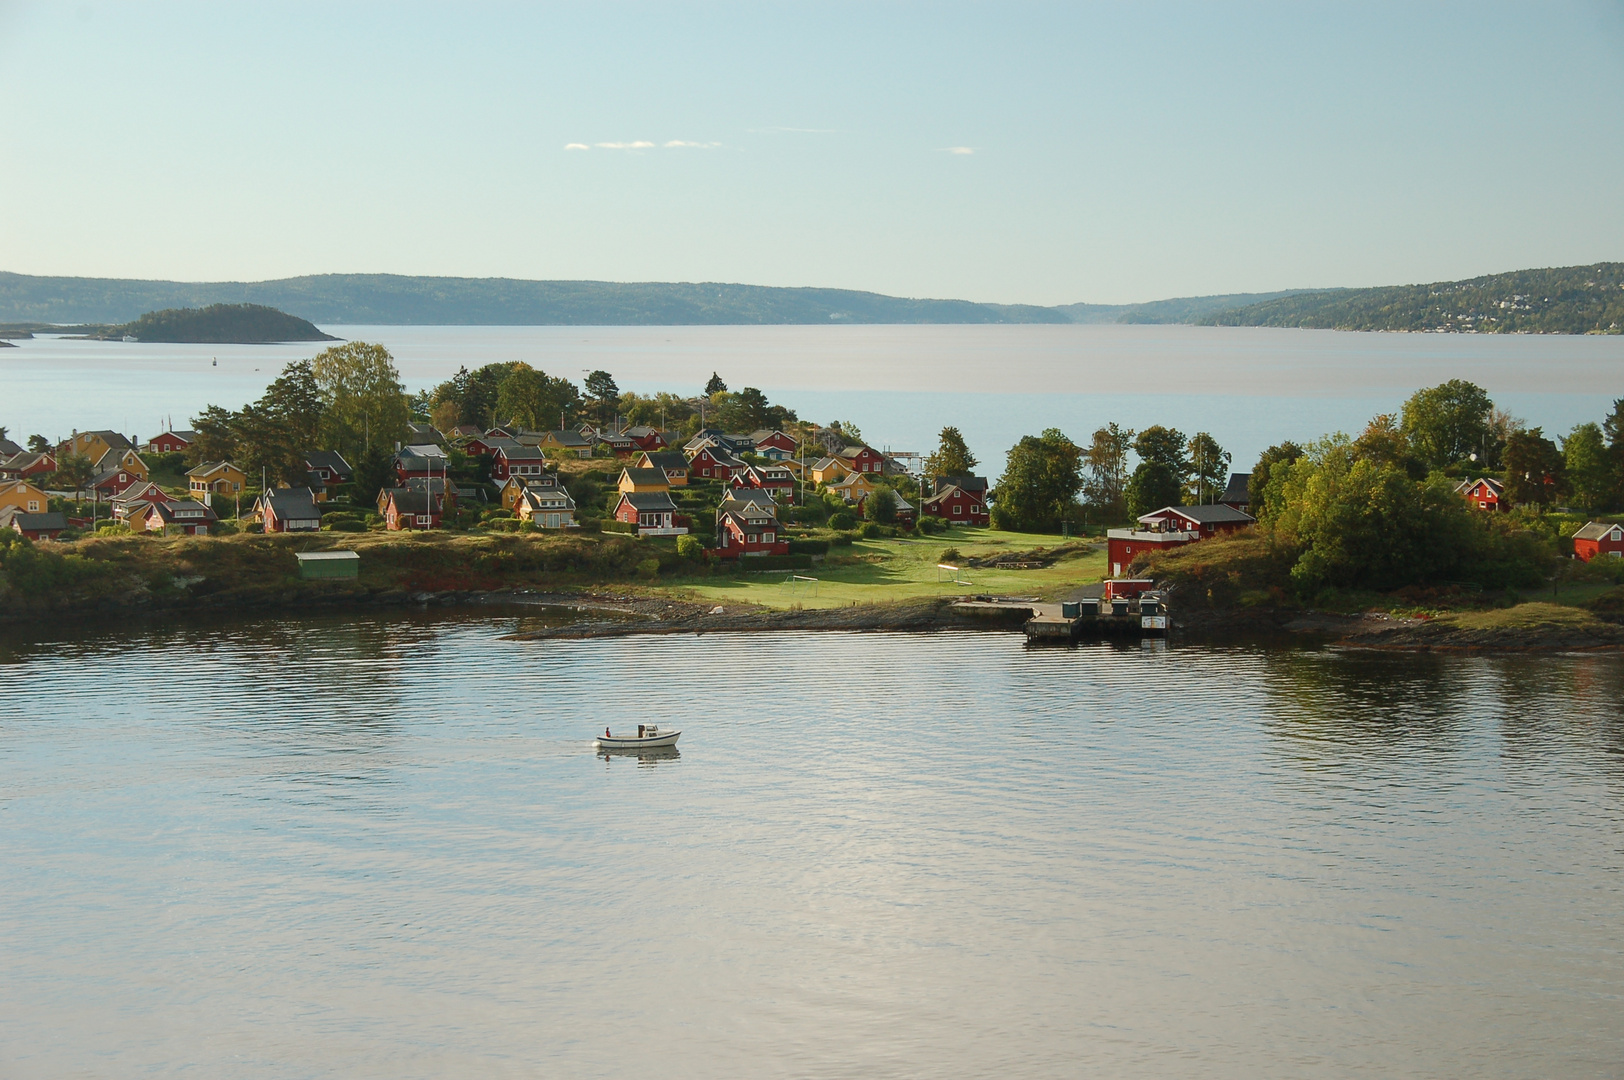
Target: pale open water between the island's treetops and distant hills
1248,387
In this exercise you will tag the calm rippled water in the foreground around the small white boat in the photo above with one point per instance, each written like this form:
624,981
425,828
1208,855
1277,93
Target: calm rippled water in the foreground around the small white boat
386,849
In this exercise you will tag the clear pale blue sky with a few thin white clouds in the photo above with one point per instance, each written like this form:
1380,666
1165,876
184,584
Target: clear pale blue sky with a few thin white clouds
990,152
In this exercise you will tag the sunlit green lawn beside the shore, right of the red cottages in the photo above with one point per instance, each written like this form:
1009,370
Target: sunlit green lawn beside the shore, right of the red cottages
891,569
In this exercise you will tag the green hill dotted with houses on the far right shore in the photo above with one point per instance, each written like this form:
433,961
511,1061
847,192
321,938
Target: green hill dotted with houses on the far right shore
1568,300
